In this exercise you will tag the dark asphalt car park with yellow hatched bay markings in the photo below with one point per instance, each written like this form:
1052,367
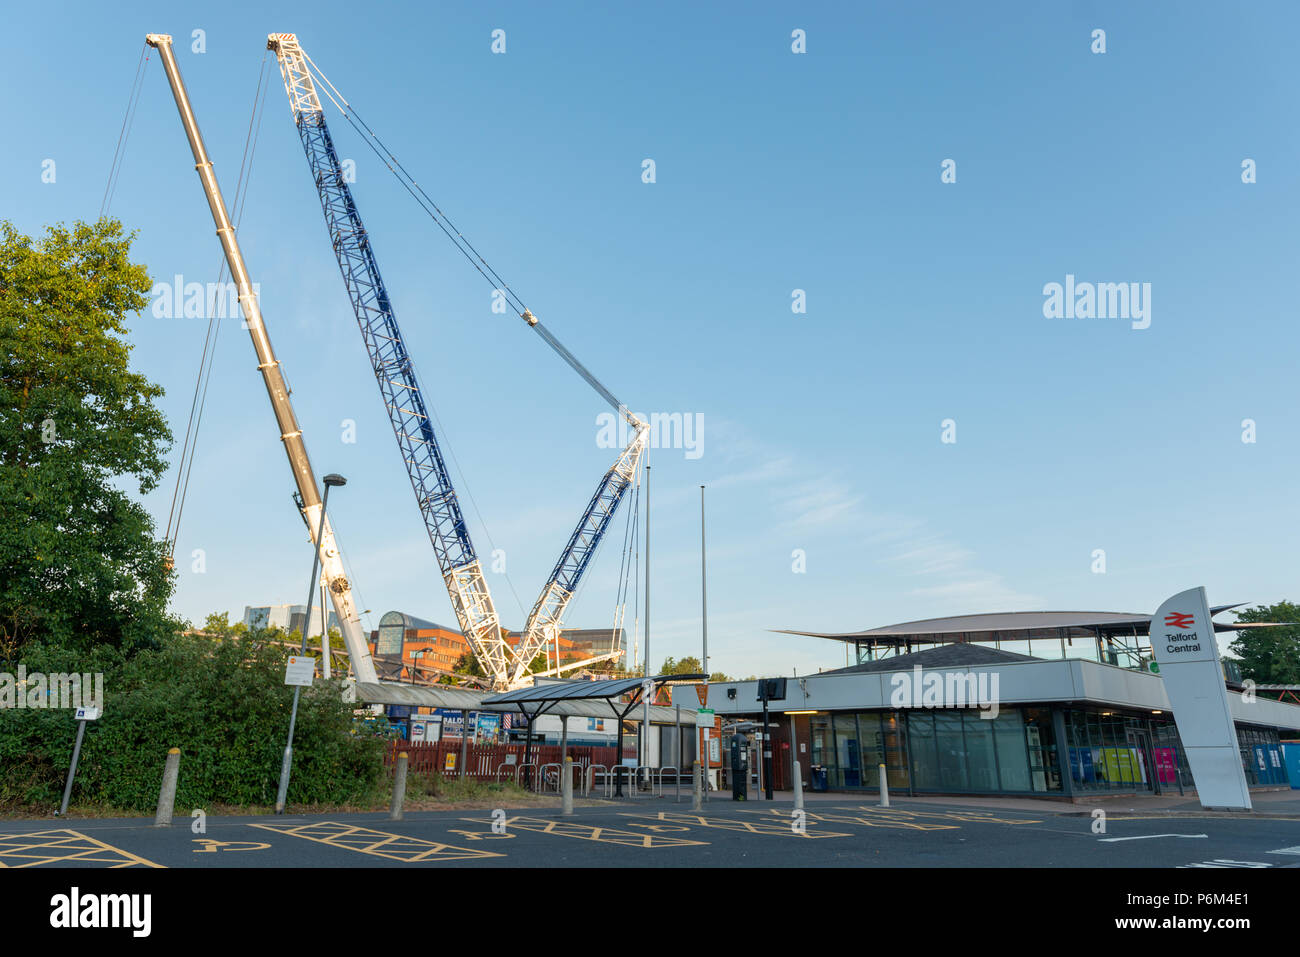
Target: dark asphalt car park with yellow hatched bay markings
833,830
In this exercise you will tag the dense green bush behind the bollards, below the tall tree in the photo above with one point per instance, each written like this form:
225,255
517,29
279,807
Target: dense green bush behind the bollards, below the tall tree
223,703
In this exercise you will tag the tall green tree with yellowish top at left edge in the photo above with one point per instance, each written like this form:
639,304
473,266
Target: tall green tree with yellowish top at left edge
80,564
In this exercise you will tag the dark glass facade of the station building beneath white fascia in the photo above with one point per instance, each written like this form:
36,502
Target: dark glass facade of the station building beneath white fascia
956,751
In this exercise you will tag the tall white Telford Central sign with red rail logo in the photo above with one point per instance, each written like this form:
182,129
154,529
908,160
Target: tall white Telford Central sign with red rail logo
1182,638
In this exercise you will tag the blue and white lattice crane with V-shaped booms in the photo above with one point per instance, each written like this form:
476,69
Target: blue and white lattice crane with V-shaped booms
471,600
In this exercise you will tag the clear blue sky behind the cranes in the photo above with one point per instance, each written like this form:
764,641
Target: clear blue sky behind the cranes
774,172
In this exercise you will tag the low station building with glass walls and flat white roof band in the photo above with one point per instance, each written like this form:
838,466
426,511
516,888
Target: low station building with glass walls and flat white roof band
1034,704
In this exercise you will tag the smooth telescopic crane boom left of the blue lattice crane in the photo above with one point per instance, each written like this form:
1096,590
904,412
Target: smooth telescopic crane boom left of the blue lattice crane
291,435
